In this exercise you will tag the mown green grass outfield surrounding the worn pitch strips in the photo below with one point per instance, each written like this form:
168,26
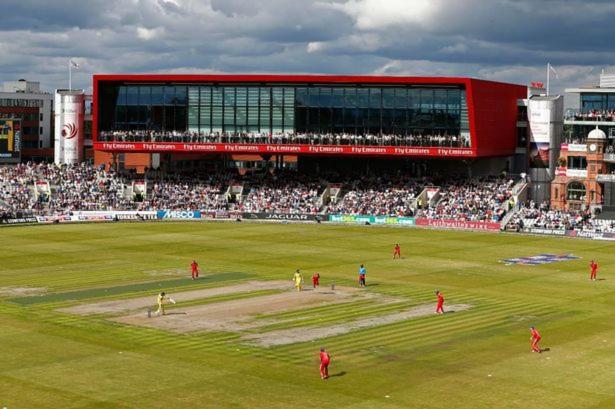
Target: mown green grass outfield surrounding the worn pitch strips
478,358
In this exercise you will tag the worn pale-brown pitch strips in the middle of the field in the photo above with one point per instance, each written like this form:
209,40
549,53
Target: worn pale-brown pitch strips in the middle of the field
242,315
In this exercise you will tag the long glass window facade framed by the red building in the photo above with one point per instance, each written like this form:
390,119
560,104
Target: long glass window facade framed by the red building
399,110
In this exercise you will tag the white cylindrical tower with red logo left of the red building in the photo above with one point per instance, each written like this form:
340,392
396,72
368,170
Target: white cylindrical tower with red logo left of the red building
69,116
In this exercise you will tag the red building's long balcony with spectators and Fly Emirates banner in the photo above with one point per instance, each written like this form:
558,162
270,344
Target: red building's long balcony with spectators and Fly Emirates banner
287,144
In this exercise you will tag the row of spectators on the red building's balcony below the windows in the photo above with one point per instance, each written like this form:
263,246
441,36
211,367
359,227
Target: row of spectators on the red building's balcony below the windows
442,139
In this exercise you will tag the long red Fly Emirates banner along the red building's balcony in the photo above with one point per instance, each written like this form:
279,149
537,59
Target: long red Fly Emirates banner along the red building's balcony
285,149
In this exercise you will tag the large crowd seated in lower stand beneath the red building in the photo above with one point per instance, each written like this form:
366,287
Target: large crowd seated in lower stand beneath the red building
85,187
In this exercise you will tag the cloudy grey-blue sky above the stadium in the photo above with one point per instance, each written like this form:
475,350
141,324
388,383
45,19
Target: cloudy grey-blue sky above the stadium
503,40
